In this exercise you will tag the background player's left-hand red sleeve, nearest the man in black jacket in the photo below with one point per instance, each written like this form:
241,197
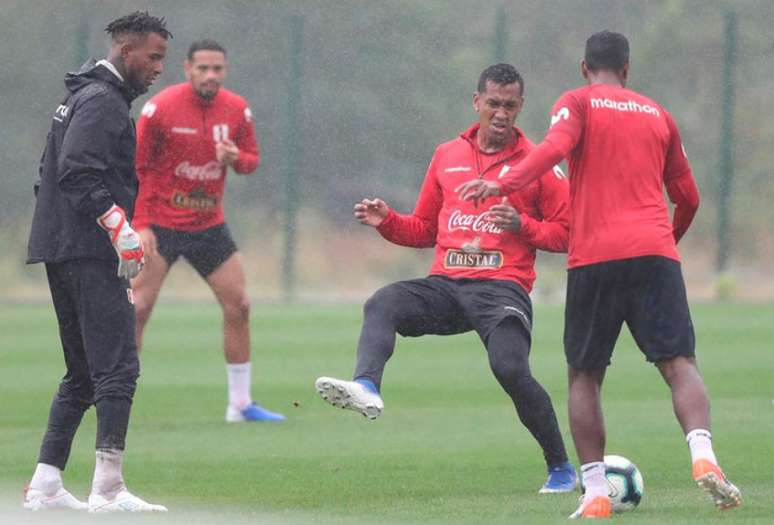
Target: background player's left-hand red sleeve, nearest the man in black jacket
150,139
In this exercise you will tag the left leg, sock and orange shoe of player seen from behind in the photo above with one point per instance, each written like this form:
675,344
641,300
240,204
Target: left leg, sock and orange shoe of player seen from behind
588,432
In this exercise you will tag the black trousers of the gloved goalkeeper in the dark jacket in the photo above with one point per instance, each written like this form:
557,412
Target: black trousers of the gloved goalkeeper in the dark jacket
96,328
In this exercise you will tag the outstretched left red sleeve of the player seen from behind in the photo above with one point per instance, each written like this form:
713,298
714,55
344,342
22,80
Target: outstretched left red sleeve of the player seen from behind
563,136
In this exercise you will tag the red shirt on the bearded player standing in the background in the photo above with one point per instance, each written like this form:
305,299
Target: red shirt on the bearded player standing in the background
181,182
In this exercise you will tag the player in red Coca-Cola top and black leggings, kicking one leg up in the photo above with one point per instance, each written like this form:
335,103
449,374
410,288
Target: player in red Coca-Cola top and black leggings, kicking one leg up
483,269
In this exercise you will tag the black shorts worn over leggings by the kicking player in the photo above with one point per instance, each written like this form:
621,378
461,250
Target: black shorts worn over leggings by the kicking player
444,306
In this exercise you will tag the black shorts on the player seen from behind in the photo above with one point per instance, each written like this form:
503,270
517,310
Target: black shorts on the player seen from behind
648,293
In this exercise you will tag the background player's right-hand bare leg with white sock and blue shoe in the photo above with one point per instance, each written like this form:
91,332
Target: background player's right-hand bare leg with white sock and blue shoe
229,285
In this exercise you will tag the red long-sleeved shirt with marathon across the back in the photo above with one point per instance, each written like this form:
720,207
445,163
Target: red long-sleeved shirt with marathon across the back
622,148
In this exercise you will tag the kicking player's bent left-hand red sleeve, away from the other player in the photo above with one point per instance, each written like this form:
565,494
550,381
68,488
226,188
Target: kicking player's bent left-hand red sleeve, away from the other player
418,230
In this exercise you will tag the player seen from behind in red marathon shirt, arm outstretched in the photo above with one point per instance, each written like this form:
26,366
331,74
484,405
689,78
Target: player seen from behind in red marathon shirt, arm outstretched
622,149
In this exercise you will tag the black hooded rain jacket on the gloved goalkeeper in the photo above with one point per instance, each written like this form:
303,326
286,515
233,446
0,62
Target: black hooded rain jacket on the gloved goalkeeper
87,165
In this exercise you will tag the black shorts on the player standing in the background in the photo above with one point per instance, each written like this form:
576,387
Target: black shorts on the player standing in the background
206,250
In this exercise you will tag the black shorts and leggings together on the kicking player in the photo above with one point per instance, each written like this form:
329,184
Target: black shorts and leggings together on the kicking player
499,311
